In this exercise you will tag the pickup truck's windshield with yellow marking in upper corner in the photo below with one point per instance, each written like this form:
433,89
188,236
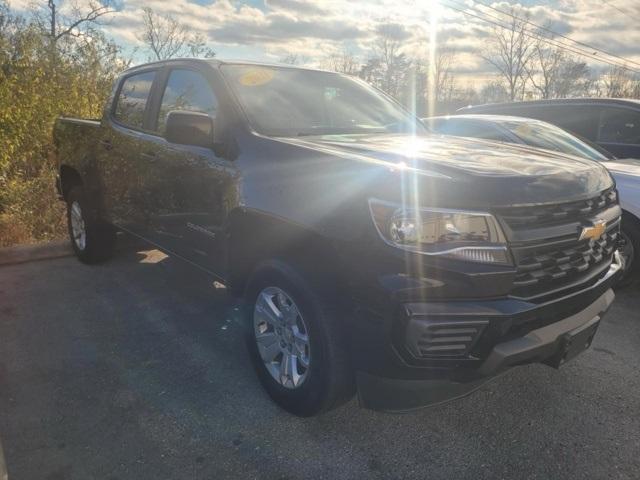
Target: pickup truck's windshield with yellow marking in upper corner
294,102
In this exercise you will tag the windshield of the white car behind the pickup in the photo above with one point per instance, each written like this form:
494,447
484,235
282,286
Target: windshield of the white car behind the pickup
552,138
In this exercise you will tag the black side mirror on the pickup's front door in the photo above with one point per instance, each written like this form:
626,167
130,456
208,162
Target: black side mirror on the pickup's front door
189,128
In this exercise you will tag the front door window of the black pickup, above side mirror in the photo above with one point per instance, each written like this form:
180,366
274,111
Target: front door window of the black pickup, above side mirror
186,90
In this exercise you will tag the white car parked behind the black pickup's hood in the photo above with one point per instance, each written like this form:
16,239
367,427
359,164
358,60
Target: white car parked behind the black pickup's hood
527,131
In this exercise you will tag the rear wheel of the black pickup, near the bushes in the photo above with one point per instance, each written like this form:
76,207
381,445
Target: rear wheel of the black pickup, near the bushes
92,239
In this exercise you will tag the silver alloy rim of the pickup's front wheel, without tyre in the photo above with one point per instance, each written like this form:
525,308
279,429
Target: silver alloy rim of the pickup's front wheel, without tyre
282,337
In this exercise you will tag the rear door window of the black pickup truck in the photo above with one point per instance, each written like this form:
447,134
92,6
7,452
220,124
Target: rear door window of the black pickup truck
132,99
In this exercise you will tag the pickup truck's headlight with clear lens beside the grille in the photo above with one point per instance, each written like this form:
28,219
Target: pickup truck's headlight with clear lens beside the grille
464,235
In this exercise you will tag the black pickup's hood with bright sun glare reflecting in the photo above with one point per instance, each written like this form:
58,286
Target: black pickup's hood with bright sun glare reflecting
461,171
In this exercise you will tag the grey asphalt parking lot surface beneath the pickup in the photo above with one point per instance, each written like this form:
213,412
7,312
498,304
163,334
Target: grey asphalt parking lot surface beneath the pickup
136,369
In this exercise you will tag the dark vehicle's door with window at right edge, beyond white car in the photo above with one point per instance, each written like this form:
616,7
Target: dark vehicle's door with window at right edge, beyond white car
619,131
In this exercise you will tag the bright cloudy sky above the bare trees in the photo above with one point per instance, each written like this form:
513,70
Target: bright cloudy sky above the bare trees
272,29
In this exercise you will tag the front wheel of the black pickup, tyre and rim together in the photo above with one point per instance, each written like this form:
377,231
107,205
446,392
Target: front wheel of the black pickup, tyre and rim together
297,341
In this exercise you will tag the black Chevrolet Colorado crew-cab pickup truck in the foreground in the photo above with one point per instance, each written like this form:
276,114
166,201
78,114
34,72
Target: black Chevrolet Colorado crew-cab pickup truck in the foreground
371,257
